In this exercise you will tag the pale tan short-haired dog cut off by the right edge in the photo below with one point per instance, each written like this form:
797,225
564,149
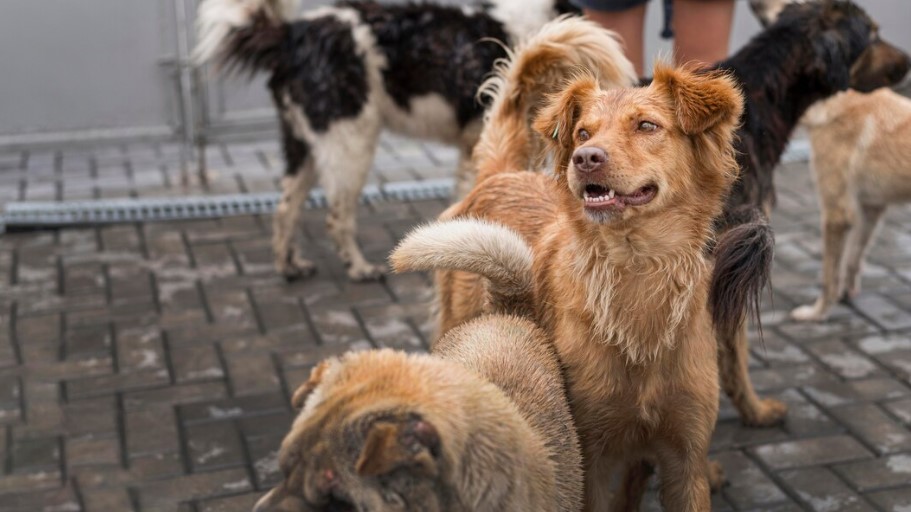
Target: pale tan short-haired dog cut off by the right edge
862,163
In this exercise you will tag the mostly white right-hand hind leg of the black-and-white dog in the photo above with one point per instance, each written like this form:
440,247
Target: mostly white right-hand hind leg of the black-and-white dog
344,157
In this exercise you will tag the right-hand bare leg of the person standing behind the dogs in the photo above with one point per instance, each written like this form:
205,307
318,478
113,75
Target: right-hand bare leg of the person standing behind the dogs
702,30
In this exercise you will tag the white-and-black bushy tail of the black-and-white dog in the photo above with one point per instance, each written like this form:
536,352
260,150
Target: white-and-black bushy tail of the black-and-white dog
242,35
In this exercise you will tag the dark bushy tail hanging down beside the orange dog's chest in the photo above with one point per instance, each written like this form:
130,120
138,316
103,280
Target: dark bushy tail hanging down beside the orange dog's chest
743,261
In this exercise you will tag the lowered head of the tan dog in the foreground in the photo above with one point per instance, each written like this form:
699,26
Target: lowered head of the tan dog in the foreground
356,445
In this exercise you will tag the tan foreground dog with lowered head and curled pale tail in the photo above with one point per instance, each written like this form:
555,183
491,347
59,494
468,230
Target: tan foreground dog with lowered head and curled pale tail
482,426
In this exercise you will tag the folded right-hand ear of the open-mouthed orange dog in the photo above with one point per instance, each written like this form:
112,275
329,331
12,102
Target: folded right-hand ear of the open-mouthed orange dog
701,100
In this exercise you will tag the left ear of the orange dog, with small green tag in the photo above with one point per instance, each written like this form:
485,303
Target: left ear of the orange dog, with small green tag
558,117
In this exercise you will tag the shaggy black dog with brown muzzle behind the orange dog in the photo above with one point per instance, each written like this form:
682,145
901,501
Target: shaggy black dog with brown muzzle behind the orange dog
813,50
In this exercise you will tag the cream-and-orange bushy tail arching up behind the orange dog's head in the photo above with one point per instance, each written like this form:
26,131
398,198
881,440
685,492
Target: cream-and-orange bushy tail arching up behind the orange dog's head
537,68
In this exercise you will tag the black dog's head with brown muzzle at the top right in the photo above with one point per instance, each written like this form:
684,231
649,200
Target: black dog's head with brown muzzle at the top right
848,48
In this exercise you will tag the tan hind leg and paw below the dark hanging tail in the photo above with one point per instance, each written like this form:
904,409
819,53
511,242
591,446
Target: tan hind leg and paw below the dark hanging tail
733,361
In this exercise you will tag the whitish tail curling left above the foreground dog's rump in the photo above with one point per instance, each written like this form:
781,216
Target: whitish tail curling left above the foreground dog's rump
492,250
